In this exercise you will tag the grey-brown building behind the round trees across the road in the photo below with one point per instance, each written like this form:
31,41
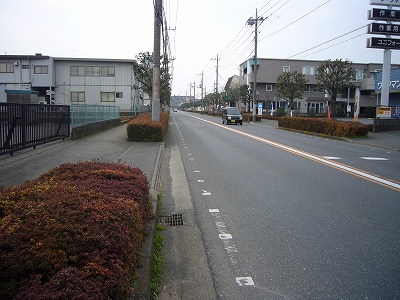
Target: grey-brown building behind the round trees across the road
313,100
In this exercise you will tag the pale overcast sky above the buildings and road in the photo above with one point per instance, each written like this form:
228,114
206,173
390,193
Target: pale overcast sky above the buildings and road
198,31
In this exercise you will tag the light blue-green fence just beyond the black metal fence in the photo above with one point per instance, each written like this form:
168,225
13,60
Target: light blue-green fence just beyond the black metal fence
82,114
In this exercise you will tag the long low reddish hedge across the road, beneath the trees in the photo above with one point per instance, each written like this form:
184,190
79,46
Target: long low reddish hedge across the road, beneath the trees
324,126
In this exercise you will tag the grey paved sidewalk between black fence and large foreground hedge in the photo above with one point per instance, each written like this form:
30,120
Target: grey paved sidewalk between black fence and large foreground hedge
107,146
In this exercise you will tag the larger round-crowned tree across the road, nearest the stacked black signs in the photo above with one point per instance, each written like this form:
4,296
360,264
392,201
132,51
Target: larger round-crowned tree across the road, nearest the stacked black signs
332,77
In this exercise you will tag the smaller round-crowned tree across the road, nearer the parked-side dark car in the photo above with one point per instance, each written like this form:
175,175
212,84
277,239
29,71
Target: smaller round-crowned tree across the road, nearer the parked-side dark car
289,86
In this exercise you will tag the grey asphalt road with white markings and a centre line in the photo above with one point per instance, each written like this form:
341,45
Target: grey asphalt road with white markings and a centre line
290,216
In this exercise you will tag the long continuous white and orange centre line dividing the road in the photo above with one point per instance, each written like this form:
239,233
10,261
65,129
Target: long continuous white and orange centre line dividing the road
362,174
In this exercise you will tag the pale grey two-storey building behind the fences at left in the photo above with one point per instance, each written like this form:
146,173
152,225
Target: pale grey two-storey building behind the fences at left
69,80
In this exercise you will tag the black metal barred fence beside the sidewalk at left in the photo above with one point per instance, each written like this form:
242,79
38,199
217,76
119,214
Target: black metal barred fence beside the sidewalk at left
28,125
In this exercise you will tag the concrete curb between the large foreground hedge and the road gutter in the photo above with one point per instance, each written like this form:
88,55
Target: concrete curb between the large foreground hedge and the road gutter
142,287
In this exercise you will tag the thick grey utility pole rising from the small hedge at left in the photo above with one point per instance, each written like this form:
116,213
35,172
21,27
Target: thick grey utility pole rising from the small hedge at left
155,109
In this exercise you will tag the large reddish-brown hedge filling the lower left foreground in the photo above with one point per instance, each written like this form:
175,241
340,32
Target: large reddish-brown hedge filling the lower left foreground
73,233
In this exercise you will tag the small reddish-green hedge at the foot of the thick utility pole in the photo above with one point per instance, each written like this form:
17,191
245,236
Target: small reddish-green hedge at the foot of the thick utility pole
143,129
